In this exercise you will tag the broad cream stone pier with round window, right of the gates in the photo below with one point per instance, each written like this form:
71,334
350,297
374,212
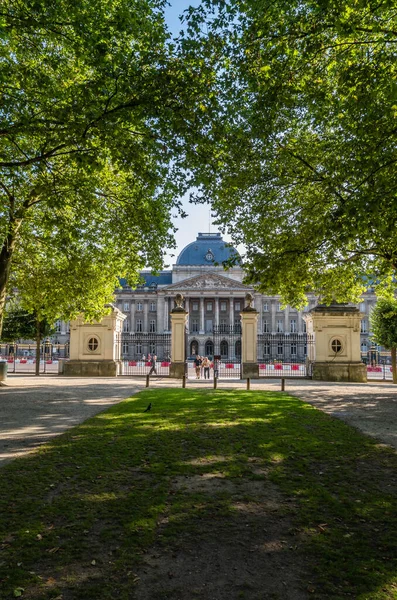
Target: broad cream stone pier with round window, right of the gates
336,354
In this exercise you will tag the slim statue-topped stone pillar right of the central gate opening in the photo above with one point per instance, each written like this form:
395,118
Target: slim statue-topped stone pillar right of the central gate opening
249,324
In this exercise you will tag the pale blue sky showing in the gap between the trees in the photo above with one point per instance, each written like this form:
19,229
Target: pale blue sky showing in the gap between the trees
198,219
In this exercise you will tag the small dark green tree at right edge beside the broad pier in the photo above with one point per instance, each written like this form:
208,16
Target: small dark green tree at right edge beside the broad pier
383,321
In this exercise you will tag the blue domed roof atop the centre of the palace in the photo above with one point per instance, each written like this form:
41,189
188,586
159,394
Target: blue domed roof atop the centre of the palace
209,248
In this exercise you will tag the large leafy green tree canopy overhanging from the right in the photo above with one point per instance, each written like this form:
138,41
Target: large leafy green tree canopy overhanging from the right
301,159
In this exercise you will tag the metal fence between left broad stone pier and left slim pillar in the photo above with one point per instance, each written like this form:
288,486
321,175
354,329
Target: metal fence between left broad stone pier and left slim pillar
137,350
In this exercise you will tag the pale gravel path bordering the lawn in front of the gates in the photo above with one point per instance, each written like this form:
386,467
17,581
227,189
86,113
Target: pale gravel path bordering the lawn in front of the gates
33,410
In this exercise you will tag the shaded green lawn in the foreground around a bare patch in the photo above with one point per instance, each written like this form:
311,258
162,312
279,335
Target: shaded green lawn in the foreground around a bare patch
77,517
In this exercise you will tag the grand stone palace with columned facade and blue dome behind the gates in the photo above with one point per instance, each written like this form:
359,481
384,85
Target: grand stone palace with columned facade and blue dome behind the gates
214,299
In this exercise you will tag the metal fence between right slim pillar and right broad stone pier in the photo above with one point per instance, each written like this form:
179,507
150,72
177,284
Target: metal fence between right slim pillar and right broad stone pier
284,354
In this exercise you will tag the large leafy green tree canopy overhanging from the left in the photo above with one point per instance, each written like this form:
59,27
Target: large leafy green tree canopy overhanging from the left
93,99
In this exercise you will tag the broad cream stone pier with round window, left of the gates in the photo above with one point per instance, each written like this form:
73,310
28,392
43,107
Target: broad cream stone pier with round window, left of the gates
95,347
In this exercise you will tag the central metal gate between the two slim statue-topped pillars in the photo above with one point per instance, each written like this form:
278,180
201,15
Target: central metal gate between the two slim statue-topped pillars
223,348
